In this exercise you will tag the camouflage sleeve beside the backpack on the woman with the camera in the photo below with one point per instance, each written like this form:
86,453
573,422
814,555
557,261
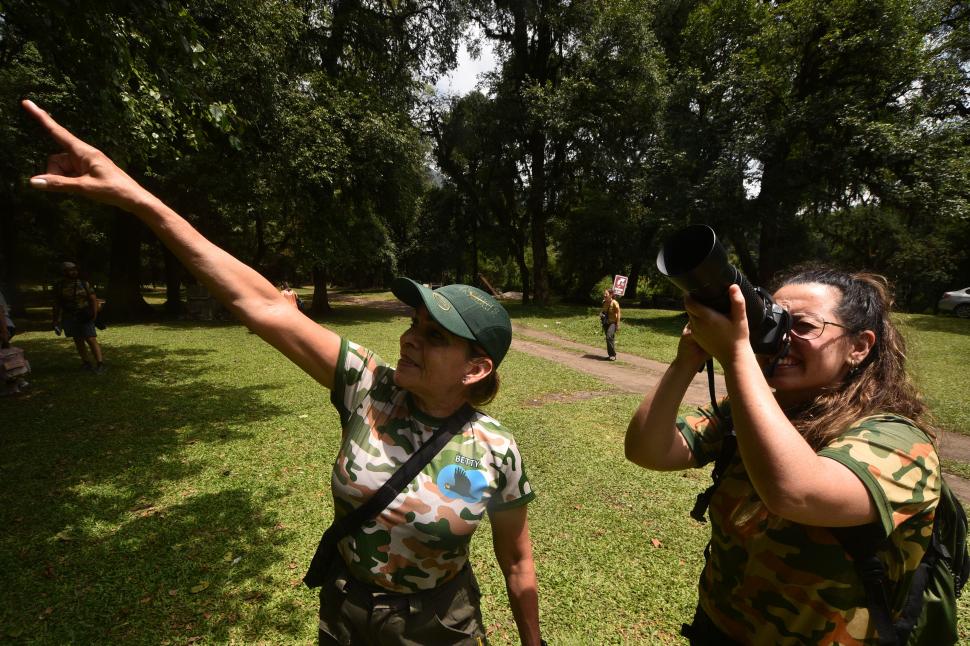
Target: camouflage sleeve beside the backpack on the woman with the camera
897,463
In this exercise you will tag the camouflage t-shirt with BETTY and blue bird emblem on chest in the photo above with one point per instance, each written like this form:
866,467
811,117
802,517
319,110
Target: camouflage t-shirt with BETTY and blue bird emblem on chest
422,538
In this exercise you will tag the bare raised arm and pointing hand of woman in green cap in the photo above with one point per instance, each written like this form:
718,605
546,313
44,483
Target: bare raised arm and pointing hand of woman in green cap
85,171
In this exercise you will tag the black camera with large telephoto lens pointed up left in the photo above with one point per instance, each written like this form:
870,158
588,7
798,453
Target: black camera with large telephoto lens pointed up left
694,260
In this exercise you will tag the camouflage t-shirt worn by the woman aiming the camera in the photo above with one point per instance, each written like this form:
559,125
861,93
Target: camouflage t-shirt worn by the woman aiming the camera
772,581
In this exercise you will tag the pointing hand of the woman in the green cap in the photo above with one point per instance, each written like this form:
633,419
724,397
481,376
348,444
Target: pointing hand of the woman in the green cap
82,169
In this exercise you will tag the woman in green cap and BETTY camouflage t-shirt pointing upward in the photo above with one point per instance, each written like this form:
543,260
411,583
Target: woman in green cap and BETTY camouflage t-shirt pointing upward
404,577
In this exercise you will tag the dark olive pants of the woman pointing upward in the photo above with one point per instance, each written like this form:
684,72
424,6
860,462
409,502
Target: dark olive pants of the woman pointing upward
354,613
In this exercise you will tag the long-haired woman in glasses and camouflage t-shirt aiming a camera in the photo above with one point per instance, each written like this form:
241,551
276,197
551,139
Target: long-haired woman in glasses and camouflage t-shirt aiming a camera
837,436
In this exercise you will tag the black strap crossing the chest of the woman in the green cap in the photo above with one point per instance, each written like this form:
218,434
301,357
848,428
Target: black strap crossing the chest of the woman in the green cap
385,495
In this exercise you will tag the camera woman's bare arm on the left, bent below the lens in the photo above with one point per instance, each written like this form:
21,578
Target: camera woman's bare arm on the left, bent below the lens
652,439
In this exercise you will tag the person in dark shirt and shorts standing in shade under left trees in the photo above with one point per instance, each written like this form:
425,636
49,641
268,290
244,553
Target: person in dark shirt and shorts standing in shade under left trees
76,311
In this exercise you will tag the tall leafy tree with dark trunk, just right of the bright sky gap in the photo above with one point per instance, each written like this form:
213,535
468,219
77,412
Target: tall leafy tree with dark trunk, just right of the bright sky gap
576,79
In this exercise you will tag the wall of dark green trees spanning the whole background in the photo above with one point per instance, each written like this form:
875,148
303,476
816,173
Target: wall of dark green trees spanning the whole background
305,138
